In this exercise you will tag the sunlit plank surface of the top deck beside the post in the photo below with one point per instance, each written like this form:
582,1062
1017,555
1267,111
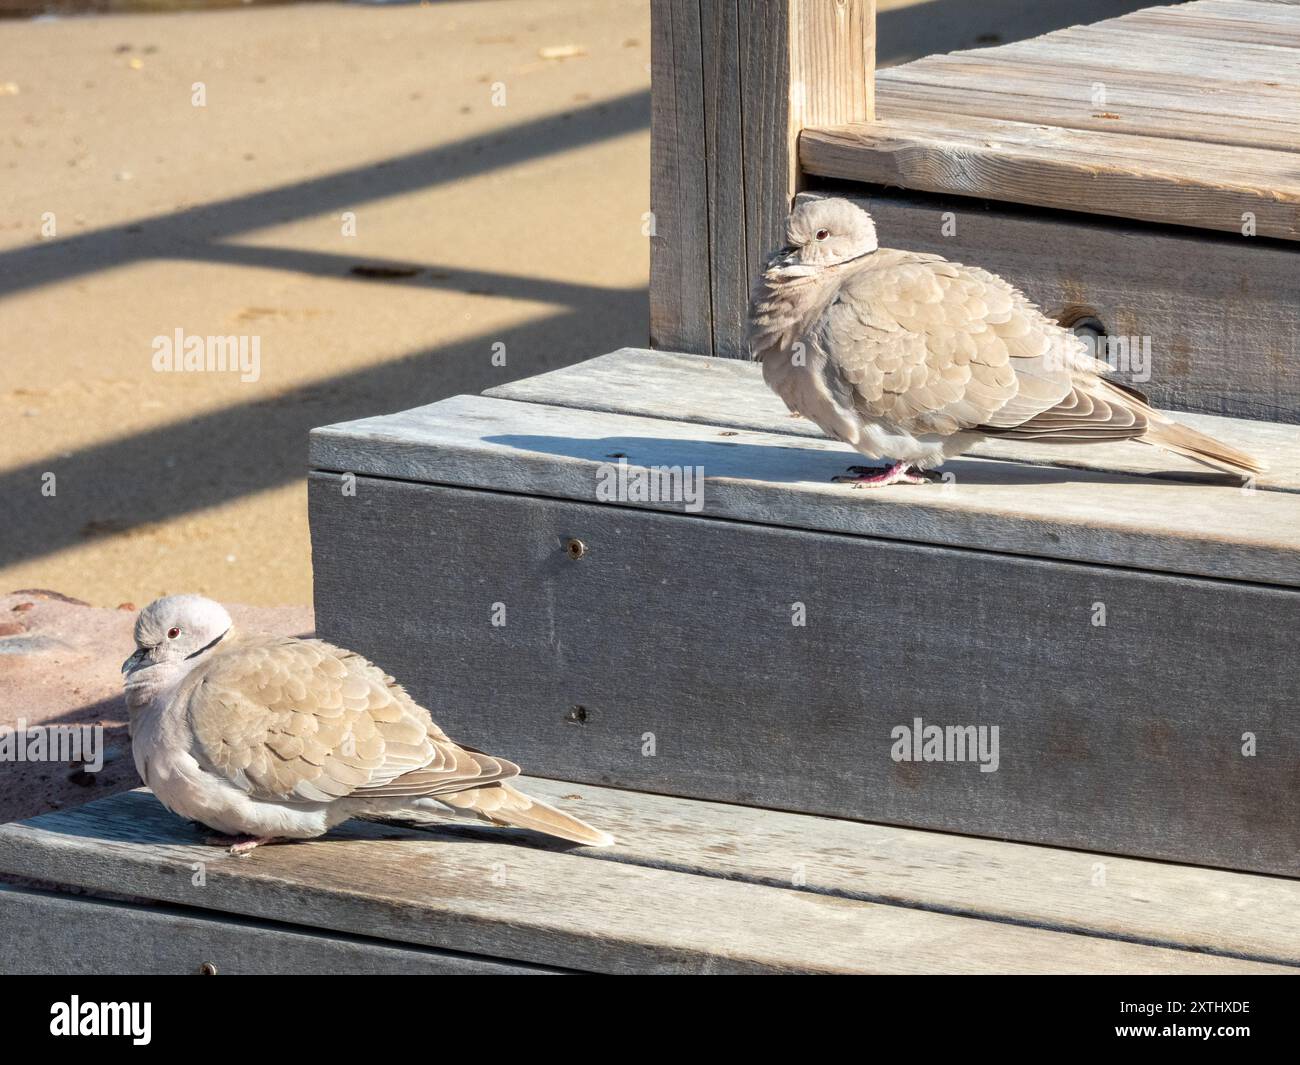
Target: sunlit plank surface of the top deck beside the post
1184,115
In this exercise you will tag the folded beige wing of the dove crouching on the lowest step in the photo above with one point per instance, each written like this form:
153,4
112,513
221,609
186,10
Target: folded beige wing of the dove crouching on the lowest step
302,721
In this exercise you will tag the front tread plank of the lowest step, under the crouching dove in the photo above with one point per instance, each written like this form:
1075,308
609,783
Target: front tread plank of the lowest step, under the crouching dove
463,891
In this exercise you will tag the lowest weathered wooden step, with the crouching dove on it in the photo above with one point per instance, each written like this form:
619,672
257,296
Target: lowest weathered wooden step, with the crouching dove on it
692,887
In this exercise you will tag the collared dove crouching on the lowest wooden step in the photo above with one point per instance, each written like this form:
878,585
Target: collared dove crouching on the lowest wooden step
266,738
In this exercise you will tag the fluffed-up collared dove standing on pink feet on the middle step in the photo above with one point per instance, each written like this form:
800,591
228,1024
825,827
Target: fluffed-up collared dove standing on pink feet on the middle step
911,358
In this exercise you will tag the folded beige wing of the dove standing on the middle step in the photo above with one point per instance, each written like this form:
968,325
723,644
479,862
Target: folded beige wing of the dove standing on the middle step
933,347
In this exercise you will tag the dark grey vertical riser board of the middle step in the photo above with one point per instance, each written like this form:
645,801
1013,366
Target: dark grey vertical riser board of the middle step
1124,738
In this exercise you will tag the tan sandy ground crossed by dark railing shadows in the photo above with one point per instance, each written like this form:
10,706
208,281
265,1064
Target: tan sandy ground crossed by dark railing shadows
515,226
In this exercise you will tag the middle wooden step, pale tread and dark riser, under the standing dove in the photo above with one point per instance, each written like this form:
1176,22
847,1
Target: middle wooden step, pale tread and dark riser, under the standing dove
1132,637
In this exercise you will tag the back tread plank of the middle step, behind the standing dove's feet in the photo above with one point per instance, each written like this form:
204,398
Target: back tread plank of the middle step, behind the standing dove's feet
733,395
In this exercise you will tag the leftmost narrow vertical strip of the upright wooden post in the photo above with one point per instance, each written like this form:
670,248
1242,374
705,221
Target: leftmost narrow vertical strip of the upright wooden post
681,310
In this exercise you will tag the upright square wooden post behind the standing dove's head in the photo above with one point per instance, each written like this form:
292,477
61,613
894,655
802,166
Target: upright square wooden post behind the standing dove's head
734,84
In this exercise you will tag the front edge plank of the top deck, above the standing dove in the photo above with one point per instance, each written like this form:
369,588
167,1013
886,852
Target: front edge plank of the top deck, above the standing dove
1210,187
